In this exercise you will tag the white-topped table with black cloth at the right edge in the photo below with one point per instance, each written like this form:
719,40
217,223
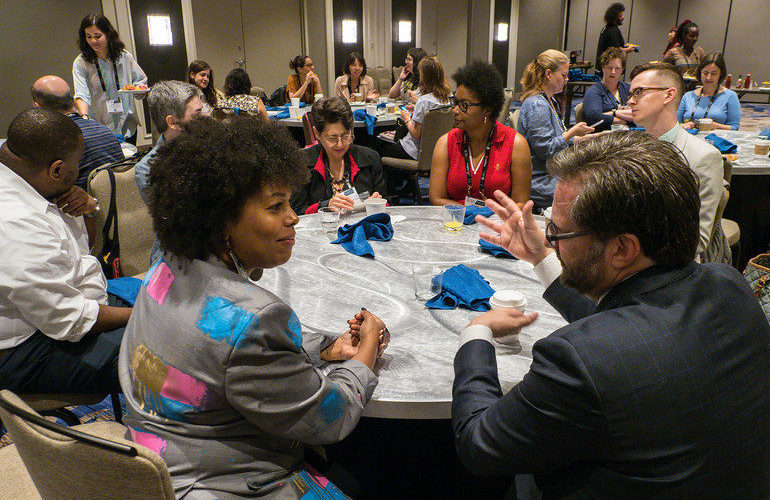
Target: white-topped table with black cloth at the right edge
749,203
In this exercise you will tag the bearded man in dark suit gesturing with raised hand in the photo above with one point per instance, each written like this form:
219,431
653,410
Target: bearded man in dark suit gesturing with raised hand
656,387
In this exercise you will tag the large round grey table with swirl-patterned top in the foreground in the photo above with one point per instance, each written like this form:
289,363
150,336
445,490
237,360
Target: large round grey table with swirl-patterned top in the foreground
325,285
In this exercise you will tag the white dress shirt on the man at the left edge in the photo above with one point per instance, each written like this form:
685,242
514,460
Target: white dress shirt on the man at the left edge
48,280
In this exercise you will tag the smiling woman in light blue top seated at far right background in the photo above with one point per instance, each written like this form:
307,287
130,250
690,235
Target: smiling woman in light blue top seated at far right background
712,100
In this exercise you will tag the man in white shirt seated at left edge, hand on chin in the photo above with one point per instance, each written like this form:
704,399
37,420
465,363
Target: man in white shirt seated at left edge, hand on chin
59,329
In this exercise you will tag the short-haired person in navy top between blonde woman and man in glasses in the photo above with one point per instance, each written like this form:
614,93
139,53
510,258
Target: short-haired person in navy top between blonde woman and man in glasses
607,100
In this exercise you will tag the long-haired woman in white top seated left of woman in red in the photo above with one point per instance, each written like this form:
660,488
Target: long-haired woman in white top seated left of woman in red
434,92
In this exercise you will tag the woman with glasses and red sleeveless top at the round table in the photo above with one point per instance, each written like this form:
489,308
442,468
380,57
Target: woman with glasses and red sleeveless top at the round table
497,157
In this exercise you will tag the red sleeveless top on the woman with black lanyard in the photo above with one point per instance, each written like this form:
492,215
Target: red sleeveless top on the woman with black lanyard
498,171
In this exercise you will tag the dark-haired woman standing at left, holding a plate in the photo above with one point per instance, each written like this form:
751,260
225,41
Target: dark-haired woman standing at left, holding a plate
102,68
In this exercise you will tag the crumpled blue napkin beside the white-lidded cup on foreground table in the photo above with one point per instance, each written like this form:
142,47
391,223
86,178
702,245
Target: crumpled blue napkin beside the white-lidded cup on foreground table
464,287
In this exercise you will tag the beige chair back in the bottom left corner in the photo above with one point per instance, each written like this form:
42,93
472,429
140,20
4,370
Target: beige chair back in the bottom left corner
67,463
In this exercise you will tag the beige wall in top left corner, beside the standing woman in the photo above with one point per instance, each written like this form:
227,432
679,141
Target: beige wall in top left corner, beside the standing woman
37,37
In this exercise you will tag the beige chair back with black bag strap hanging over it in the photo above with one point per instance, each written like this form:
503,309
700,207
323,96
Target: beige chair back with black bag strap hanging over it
135,232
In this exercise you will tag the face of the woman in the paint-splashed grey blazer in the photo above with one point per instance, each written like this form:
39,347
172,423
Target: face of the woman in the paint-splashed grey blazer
263,236
